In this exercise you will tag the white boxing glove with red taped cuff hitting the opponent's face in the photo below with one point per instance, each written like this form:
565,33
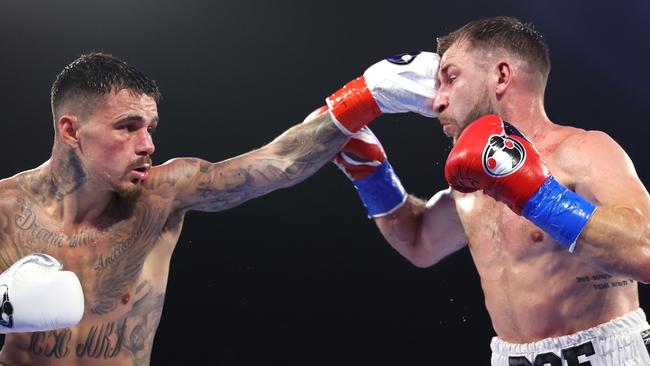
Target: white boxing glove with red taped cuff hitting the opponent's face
401,83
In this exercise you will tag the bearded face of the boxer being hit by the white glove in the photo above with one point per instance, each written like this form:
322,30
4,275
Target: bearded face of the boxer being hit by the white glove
463,91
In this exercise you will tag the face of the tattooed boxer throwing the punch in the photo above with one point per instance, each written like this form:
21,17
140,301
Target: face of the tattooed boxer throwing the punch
115,143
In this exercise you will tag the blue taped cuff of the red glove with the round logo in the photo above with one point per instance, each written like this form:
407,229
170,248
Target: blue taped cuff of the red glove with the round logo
559,211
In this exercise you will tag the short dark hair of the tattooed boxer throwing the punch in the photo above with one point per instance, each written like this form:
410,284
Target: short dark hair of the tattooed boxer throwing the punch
97,74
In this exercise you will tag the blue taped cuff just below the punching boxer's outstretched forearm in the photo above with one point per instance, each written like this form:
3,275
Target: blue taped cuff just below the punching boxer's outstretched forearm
381,192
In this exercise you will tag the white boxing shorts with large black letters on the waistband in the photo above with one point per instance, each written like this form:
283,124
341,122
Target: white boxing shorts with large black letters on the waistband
624,341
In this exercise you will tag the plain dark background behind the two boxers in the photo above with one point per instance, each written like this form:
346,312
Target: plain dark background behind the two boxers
301,276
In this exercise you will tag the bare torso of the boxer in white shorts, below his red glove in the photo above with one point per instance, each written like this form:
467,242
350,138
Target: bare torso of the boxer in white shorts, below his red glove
534,288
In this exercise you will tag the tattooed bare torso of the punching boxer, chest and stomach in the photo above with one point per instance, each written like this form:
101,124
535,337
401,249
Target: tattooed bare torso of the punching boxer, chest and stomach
122,263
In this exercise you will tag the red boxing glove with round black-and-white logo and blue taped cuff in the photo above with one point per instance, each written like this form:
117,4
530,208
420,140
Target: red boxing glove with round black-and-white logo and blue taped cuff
493,156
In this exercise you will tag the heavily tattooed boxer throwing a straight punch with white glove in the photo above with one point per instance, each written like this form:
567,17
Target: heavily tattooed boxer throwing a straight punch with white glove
101,208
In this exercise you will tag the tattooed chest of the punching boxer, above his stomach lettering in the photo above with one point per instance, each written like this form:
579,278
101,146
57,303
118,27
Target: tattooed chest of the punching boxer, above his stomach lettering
114,262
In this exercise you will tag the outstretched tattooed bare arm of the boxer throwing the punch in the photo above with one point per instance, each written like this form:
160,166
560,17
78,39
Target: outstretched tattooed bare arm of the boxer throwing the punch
287,160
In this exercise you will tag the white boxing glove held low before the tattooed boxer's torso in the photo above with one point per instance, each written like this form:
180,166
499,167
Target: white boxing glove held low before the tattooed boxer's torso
37,295
